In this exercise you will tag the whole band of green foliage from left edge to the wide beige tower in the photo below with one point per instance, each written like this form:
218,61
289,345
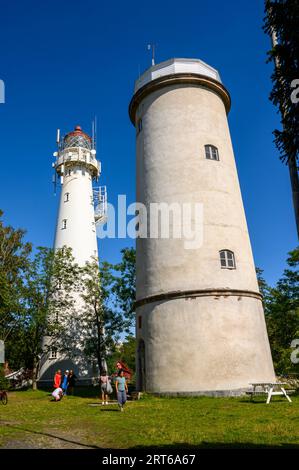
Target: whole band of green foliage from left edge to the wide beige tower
38,294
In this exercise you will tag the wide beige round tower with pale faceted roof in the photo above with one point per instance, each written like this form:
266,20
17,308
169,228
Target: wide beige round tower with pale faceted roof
199,319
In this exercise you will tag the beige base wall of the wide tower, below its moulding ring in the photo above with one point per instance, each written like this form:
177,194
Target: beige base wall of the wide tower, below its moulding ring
205,344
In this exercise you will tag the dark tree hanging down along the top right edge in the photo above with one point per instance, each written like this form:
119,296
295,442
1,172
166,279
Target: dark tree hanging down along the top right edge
281,23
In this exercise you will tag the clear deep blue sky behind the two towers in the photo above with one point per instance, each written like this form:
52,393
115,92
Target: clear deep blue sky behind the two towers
64,62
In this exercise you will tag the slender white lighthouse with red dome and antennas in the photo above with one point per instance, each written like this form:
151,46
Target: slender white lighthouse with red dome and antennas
81,208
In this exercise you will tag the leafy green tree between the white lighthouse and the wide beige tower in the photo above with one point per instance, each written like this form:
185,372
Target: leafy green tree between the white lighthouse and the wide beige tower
108,293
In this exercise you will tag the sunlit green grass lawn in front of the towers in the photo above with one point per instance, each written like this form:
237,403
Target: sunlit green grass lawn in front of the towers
31,420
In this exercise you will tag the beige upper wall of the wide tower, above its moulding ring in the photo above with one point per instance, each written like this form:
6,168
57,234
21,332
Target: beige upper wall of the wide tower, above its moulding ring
171,166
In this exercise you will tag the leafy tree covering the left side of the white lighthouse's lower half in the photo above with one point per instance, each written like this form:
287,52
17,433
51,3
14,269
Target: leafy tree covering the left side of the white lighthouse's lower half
49,304
